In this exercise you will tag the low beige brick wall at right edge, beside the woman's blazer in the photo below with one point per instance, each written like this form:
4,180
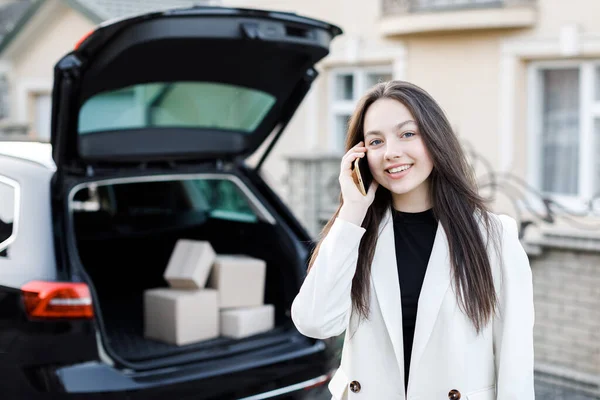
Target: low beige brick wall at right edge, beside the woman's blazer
567,301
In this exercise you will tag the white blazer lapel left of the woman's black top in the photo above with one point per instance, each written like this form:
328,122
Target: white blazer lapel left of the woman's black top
384,274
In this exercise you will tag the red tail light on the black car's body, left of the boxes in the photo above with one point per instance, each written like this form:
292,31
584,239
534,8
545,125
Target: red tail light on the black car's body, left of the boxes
56,300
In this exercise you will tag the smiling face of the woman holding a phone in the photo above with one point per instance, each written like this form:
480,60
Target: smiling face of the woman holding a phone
396,152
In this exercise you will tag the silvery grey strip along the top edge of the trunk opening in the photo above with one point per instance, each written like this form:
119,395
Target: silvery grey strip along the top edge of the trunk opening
262,212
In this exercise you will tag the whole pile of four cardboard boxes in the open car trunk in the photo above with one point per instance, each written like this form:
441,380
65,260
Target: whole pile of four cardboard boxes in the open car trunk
208,295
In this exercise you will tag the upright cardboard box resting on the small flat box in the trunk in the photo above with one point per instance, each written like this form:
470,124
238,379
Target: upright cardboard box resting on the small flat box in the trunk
239,279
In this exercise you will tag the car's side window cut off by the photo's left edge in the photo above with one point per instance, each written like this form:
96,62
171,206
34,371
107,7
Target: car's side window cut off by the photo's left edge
9,211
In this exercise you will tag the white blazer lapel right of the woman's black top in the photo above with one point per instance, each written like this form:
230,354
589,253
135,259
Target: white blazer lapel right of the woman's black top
435,286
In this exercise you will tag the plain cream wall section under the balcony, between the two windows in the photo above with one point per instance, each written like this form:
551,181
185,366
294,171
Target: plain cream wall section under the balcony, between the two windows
460,71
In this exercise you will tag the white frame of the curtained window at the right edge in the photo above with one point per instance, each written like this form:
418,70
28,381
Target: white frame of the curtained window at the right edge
588,112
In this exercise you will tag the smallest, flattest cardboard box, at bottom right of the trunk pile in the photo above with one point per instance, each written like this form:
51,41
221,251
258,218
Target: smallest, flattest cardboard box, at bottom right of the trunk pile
247,321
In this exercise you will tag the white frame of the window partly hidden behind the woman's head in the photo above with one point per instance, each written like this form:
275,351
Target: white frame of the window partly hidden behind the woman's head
346,107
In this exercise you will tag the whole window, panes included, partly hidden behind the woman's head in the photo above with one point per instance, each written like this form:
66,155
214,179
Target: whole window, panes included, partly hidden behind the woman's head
347,86
